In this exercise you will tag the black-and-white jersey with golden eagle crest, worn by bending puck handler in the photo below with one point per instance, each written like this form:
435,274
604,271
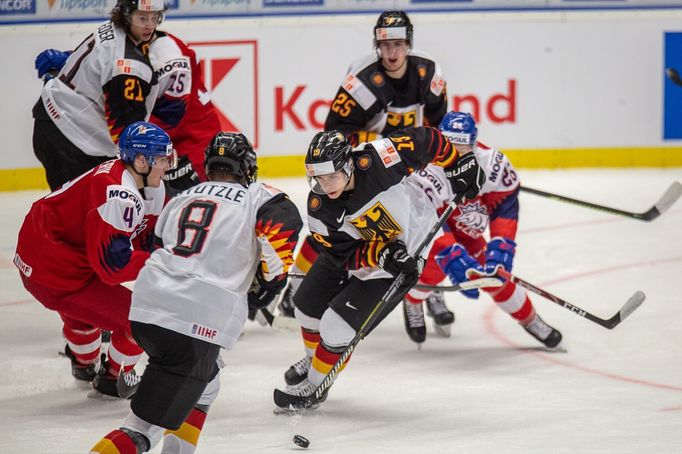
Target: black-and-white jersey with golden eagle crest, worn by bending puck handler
385,205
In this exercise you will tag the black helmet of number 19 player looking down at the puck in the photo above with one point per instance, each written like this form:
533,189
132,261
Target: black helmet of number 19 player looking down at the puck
328,152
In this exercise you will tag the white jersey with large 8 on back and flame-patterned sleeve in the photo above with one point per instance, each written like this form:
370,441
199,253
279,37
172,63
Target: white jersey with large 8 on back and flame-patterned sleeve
214,235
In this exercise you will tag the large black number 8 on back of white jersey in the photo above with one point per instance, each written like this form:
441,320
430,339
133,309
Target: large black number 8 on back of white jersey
194,225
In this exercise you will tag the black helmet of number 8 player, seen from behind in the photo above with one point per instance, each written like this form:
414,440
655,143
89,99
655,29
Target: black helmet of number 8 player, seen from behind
231,152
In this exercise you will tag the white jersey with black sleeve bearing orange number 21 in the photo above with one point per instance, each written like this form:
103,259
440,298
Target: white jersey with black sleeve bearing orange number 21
106,84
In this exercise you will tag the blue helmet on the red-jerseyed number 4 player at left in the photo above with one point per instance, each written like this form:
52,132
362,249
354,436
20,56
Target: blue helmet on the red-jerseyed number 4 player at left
148,140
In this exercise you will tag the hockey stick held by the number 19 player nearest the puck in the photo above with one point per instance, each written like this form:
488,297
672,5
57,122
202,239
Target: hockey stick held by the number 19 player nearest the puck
292,402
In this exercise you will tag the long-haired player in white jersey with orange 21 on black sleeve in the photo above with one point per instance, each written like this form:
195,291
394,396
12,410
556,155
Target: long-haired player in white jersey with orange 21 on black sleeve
106,84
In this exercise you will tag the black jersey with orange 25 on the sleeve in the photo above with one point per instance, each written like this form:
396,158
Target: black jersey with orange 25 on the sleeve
370,101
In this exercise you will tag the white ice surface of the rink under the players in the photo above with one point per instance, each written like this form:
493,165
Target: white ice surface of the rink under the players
487,389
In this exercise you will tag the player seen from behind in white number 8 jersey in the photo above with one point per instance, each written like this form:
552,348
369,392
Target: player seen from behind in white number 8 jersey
219,239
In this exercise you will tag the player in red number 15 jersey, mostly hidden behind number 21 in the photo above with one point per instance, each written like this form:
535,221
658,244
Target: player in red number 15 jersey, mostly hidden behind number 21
183,107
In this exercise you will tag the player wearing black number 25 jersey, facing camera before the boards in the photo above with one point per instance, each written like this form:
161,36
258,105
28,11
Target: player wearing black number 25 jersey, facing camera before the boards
390,89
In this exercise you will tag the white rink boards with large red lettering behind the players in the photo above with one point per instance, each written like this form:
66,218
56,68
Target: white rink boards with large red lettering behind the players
540,80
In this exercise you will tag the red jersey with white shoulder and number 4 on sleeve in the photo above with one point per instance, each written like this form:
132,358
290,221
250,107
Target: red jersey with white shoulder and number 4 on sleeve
96,225
